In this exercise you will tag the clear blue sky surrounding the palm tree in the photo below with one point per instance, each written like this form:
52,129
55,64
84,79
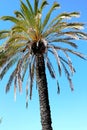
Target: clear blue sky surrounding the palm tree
69,109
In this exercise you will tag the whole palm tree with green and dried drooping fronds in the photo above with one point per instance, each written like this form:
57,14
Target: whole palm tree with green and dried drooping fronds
28,44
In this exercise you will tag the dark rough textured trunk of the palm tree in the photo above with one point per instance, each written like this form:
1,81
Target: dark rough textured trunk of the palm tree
43,93
